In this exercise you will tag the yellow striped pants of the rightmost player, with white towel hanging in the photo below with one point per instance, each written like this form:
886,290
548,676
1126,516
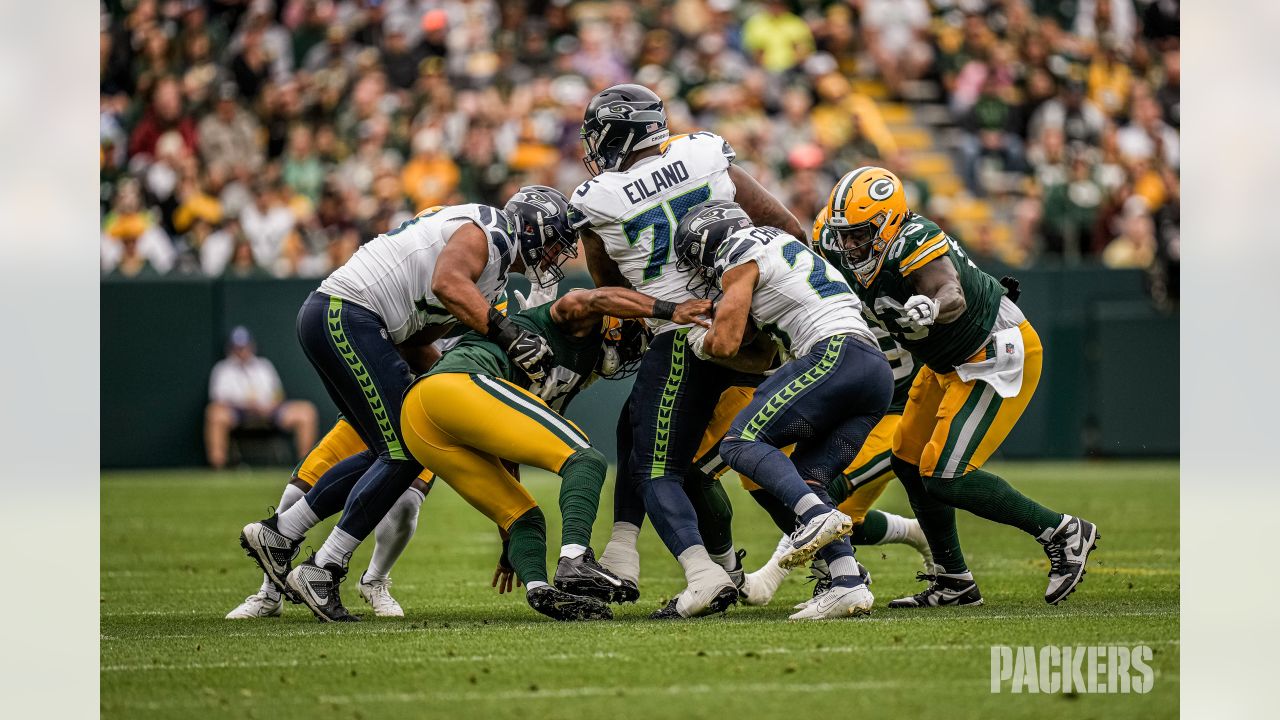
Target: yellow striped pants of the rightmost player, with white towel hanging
952,427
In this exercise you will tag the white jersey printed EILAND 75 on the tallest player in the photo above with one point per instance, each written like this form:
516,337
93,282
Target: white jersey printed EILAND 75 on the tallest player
636,212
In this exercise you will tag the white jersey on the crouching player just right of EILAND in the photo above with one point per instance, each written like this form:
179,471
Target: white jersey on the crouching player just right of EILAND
799,298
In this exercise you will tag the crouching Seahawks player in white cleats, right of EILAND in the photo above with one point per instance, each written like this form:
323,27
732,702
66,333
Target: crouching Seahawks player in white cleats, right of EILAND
825,400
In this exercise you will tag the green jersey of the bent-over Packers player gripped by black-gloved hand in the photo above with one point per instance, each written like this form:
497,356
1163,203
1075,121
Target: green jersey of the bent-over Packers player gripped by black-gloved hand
577,358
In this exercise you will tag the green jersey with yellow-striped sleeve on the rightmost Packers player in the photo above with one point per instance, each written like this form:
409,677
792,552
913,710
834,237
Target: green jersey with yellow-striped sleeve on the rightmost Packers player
940,347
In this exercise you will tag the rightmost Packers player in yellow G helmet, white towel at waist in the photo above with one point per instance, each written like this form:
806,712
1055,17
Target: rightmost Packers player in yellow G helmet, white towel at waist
982,362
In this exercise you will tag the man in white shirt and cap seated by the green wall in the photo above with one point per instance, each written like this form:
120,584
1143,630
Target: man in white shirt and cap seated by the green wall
245,393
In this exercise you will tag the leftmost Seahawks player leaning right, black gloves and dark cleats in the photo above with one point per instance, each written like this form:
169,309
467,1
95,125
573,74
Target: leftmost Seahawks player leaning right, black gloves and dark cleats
412,285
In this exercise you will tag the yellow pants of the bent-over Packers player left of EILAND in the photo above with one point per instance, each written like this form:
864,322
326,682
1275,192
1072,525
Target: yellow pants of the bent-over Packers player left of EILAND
464,426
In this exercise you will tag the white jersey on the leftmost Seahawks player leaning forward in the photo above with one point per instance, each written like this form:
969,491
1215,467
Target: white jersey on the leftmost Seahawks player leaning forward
392,274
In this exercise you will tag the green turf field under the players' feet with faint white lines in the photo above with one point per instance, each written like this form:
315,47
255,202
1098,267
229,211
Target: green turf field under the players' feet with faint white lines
171,569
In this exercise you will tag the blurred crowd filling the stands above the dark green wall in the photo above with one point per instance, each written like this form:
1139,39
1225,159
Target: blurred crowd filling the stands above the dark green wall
259,138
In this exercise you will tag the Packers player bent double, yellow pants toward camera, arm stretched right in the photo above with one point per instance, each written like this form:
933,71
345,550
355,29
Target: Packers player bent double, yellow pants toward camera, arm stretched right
477,409
